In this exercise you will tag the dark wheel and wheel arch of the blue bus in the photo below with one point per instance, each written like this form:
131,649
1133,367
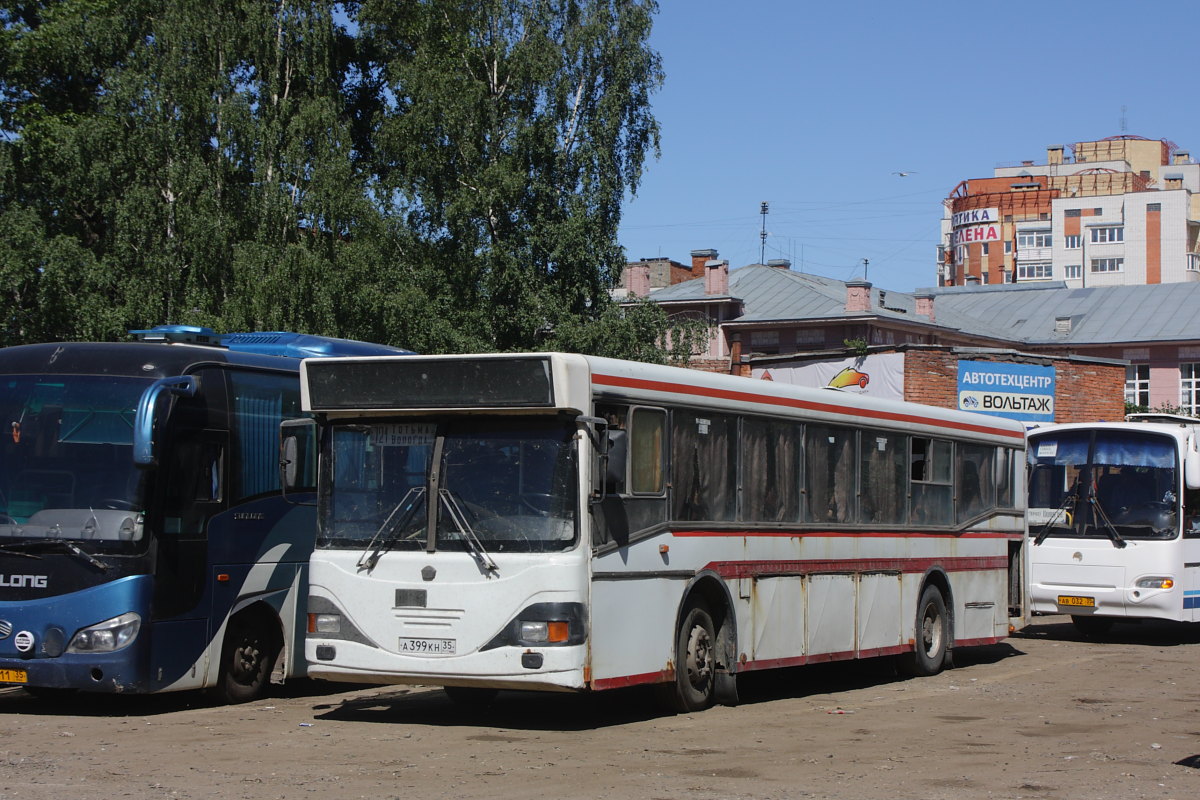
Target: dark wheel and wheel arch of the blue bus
253,643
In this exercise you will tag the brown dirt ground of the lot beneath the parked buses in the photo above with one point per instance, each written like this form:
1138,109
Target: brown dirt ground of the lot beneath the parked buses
1043,715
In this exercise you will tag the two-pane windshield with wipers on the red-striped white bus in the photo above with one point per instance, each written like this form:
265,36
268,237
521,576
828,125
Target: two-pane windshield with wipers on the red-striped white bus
503,485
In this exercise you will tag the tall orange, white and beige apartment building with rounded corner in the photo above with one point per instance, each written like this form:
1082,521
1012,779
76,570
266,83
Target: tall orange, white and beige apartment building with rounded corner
1118,212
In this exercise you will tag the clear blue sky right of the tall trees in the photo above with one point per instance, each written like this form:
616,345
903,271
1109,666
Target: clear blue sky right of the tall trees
813,106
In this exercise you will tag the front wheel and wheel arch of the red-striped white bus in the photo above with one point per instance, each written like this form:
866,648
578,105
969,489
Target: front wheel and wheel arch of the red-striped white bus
705,653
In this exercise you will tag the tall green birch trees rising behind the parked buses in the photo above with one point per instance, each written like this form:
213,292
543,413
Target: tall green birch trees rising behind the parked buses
441,175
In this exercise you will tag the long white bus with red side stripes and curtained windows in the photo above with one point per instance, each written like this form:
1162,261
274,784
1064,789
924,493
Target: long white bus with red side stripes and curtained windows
566,522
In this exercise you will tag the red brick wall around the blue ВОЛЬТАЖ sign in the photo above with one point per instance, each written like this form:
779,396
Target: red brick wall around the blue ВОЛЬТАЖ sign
1084,393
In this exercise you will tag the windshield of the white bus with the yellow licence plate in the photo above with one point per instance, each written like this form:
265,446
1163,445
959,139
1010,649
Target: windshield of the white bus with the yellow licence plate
1108,484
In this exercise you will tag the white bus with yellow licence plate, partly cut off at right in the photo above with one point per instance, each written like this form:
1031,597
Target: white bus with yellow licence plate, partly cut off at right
1114,515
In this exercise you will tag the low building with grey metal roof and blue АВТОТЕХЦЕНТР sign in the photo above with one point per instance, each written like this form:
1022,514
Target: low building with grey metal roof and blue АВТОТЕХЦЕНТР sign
1094,348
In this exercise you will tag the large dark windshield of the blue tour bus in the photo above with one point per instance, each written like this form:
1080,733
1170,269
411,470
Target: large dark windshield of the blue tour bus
67,467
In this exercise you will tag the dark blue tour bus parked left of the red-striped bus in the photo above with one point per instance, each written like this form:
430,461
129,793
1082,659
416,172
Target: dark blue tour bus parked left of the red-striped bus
145,543
